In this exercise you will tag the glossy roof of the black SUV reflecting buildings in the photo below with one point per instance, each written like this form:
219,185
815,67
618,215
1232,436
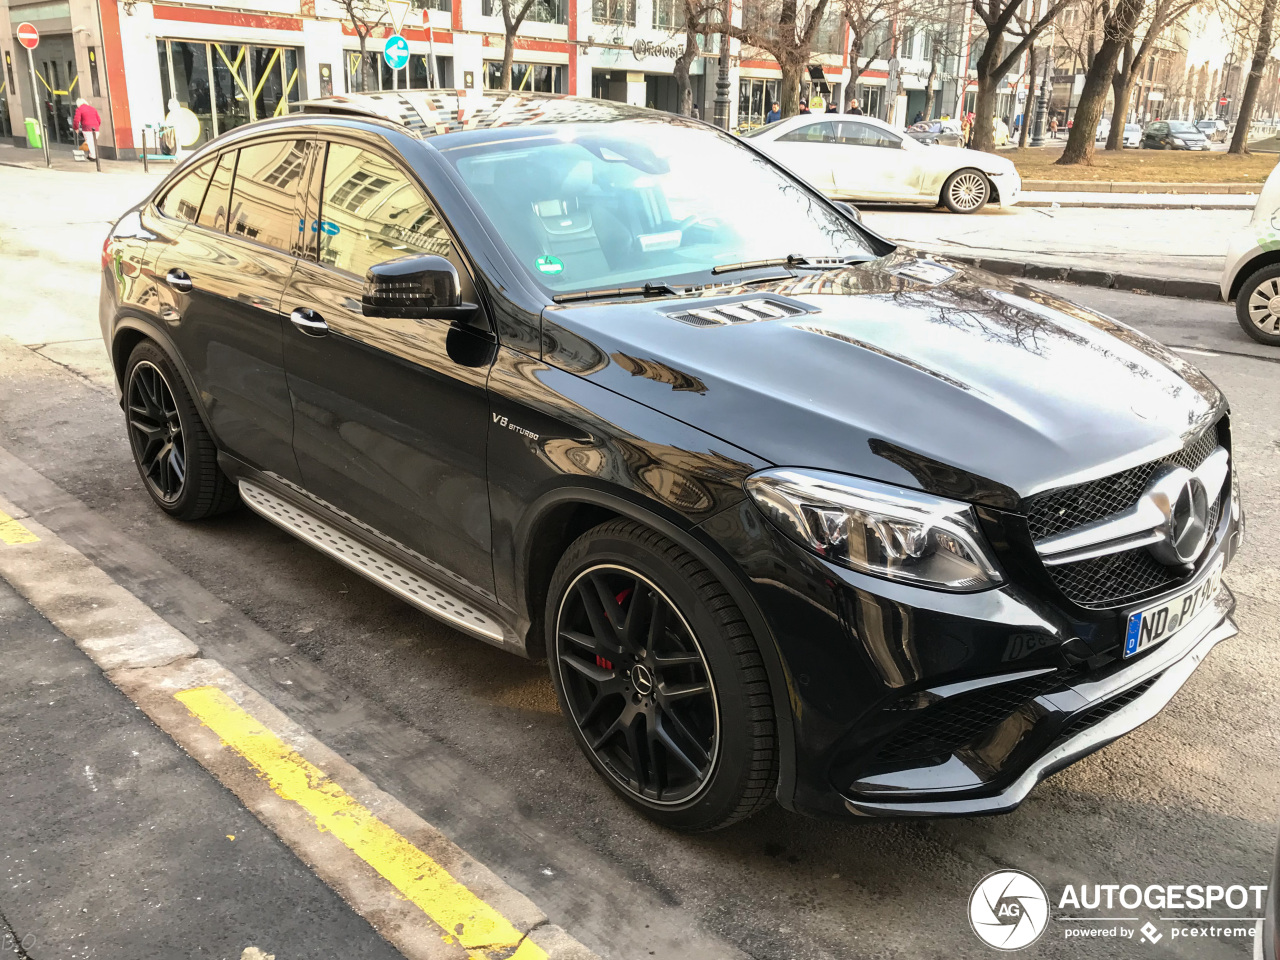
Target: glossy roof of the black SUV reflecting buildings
428,113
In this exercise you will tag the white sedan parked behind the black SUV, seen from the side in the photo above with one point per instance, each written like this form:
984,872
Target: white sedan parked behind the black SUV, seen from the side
861,158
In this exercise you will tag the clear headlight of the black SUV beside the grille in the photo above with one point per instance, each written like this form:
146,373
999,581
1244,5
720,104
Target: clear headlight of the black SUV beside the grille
877,529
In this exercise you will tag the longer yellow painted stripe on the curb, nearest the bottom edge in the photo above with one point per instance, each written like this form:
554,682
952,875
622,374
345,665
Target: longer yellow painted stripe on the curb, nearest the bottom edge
464,917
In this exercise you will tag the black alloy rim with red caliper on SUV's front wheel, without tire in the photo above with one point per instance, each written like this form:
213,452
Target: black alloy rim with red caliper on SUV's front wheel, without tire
637,685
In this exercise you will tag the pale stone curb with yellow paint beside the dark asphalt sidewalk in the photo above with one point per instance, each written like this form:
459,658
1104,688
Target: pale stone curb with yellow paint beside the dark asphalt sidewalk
426,895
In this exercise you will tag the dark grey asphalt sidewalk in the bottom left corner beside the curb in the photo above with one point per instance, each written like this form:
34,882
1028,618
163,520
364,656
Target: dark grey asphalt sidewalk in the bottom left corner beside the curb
117,844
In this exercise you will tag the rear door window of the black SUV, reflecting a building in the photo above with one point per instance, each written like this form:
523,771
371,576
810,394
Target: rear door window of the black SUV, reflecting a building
264,200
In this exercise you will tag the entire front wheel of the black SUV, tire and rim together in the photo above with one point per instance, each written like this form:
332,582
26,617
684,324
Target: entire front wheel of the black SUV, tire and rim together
628,697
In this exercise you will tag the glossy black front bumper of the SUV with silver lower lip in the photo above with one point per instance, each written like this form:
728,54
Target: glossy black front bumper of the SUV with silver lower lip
908,702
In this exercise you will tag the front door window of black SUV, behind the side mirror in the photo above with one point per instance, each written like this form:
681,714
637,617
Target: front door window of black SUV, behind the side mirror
371,213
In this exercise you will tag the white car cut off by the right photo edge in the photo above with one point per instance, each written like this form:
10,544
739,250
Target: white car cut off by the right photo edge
1252,272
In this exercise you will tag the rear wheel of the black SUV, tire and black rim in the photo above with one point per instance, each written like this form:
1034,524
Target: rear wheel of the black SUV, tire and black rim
172,449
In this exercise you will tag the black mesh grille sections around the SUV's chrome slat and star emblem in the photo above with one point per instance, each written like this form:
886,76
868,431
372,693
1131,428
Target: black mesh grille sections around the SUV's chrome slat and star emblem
1128,575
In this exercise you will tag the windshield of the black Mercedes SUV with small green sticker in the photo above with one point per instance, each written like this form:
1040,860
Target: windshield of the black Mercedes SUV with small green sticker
593,207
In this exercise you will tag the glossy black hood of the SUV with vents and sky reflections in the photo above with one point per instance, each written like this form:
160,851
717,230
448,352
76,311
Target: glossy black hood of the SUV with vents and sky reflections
909,371
